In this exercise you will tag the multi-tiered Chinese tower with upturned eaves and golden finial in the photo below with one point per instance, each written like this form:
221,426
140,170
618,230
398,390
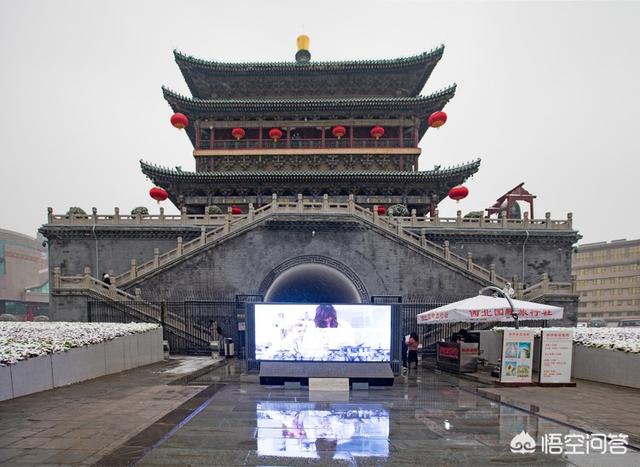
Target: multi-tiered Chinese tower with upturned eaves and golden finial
310,128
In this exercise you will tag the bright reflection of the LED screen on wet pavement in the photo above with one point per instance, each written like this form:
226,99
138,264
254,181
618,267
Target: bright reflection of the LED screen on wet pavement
321,430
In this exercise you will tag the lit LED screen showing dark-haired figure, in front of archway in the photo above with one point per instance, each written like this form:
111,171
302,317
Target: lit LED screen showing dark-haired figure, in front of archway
329,333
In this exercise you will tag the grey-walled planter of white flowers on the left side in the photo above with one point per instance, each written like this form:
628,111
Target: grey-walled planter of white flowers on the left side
58,368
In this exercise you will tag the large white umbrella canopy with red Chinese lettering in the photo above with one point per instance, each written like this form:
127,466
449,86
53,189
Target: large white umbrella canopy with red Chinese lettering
485,309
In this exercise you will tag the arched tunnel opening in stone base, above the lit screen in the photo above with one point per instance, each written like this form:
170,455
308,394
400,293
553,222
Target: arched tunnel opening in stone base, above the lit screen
312,283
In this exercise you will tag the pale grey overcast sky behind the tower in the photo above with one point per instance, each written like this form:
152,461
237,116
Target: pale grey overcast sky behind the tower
548,94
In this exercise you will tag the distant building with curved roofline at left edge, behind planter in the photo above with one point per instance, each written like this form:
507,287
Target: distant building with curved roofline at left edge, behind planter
24,275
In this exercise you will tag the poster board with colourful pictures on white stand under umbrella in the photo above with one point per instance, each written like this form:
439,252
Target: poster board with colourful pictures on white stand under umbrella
517,356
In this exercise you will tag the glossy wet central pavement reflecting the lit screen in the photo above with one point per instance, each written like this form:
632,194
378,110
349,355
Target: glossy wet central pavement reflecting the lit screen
424,419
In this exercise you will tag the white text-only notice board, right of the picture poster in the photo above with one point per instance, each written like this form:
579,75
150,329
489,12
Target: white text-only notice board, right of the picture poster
555,356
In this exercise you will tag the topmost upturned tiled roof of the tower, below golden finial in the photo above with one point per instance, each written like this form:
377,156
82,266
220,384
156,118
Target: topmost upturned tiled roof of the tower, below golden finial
406,76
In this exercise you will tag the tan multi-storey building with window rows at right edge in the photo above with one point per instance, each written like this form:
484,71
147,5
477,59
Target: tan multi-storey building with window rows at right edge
608,280
